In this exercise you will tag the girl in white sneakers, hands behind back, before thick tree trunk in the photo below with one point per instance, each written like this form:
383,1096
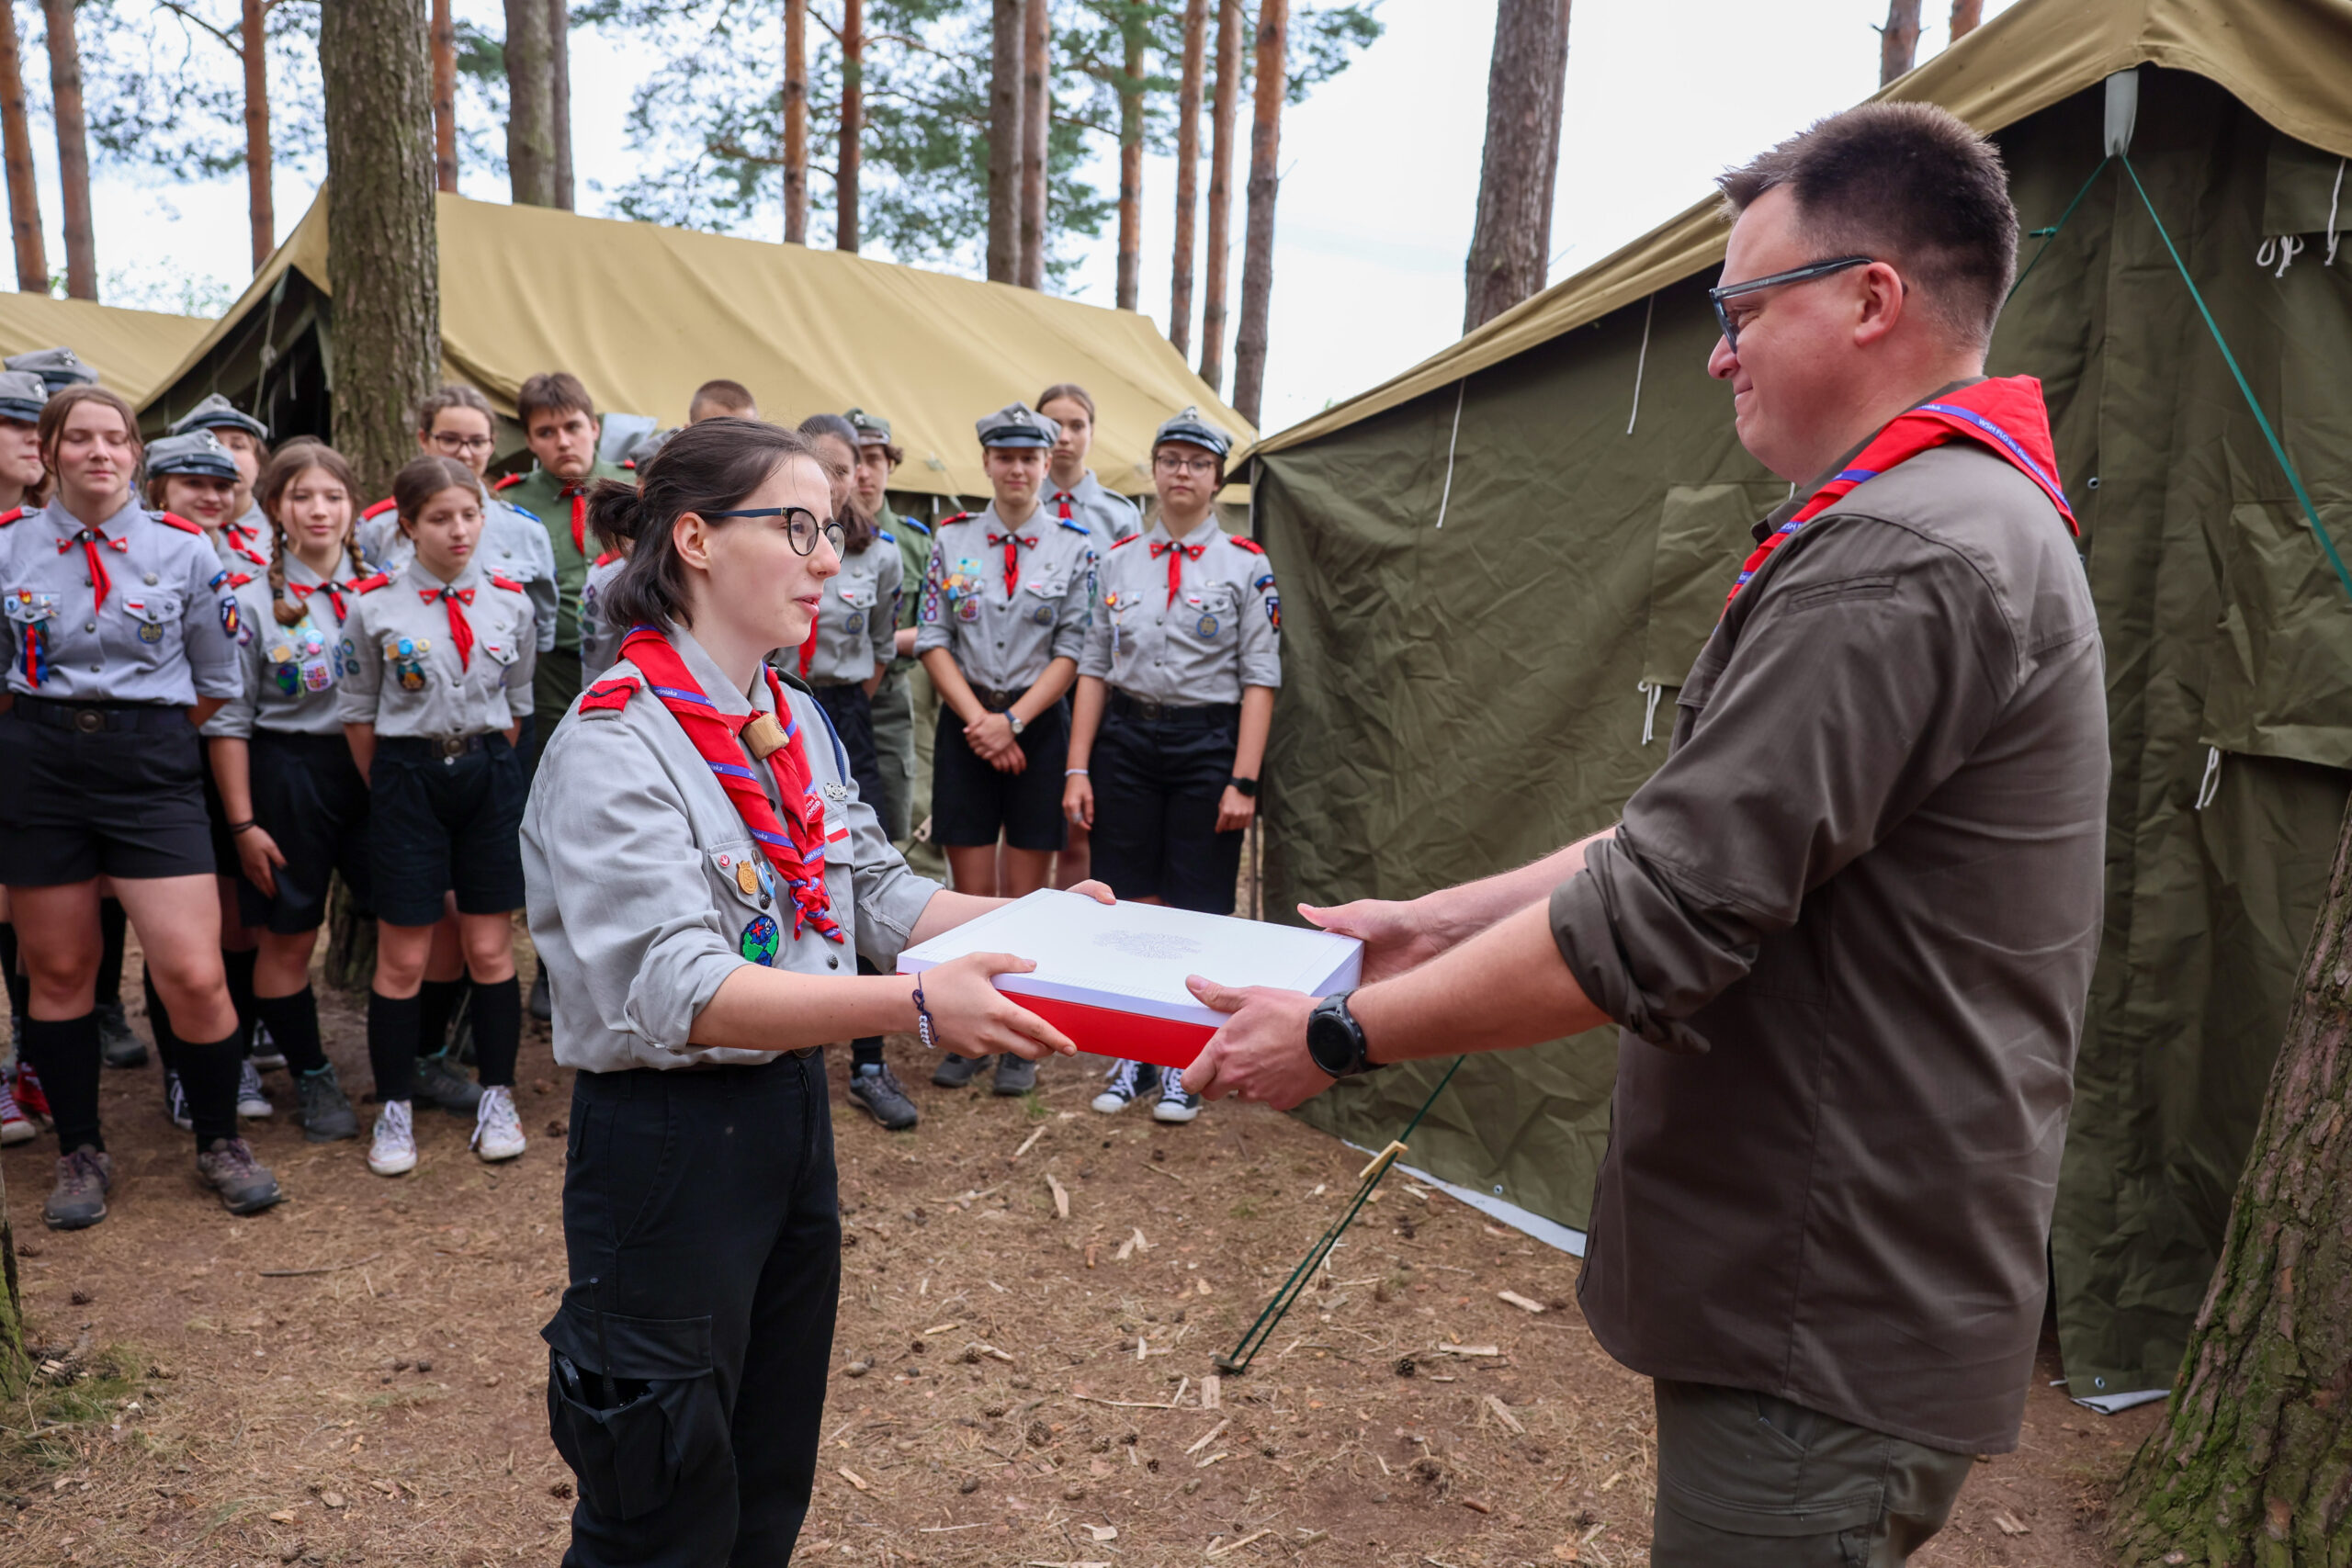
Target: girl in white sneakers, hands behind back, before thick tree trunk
439,678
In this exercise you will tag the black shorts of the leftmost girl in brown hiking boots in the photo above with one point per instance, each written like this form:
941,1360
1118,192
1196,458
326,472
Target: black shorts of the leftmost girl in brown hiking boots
116,803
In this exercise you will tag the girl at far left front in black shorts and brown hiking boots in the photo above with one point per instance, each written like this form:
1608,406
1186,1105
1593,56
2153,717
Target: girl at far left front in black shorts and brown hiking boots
119,636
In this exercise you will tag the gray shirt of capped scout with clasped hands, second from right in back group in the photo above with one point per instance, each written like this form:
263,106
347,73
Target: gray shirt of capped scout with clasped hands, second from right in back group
1005,636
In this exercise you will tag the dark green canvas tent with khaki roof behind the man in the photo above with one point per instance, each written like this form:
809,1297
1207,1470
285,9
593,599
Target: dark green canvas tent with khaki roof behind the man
1499,568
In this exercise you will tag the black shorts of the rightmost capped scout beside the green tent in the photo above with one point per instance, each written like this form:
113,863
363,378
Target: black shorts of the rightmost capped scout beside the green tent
1156,791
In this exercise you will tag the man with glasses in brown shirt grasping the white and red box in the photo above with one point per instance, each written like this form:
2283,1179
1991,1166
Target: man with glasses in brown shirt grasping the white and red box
1847,927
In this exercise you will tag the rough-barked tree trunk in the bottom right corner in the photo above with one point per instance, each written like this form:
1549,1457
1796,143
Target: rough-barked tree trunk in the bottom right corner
2254,1461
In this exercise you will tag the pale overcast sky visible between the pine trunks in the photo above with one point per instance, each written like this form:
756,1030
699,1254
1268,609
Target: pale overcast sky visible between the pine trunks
1379,170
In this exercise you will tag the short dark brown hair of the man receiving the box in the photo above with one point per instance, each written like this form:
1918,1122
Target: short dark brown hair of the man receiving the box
1906,185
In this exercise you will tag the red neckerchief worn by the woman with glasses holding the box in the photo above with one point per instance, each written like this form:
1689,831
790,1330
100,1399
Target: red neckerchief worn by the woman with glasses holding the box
794,845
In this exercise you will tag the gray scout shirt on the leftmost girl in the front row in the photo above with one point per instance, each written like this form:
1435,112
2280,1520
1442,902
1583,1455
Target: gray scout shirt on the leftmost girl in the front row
168,626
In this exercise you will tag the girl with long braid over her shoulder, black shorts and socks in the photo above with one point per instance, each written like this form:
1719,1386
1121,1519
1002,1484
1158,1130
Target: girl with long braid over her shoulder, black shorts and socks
298,808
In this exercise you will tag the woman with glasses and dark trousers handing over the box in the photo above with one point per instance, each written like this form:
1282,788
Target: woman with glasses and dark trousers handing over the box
702,885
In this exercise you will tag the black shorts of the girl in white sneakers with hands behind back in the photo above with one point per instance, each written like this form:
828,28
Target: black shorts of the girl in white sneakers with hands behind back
446,826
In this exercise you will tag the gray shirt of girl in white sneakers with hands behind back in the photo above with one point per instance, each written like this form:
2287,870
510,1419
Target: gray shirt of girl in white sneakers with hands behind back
403,666
